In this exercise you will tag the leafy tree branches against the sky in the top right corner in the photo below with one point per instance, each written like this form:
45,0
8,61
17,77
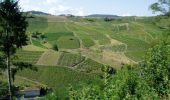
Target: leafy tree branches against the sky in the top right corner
162,6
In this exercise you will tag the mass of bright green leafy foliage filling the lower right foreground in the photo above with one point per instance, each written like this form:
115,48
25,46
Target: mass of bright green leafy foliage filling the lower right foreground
149,80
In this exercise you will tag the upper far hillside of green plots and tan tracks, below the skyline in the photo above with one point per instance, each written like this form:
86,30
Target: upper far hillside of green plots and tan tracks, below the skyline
120,41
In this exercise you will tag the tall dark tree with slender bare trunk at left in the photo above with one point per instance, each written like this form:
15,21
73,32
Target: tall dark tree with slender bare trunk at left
13,35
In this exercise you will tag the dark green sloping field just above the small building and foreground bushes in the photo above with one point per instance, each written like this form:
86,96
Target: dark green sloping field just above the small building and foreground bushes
59,78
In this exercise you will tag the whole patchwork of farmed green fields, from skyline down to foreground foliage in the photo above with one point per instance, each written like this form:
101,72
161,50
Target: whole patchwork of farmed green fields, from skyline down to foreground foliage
68,51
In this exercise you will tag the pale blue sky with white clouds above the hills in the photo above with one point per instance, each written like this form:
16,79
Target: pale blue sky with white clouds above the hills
87,7
